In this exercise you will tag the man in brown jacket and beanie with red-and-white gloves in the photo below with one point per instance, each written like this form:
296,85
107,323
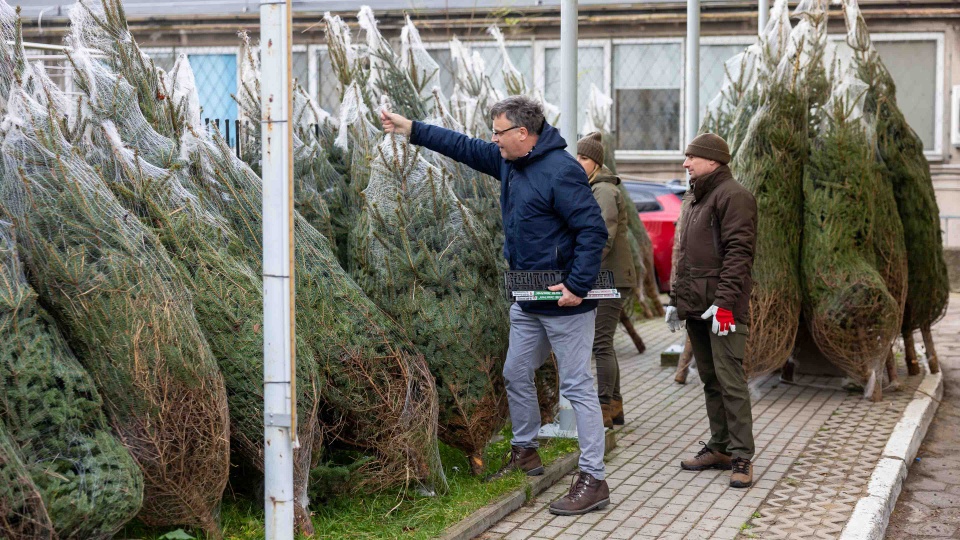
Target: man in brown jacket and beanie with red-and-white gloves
711,293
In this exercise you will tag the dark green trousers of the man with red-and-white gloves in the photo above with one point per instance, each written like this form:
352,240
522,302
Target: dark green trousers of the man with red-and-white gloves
720,366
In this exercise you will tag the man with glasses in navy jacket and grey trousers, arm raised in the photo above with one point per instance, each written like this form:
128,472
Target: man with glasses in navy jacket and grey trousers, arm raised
551,221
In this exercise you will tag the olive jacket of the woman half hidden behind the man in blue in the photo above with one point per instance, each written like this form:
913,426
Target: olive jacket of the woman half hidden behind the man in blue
617,256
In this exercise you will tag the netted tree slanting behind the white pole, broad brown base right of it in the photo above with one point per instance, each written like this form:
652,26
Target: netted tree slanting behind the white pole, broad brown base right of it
376,392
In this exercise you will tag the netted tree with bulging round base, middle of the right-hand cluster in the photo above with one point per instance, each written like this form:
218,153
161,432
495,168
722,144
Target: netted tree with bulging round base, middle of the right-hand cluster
851,315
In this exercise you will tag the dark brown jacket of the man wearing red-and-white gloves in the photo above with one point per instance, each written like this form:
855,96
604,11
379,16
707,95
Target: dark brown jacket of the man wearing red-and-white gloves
716,236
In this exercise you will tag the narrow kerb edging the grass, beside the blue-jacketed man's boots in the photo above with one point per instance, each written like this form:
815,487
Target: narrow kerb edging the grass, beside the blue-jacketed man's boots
486,517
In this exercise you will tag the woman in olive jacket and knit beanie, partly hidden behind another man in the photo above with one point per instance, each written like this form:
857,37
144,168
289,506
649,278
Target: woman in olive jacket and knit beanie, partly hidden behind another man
616,258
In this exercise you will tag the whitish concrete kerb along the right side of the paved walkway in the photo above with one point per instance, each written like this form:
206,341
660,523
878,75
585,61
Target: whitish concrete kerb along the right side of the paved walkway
872,513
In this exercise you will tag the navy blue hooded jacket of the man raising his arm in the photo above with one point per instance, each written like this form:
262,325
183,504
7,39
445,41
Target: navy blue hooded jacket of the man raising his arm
551,220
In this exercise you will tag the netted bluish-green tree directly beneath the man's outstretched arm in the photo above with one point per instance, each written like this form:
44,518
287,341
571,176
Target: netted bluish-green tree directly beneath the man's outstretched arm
421,254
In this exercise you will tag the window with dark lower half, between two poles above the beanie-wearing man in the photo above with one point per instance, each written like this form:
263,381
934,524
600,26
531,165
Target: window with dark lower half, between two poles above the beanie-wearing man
646,81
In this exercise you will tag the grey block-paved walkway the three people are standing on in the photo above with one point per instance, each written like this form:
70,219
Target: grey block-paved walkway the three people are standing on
800,429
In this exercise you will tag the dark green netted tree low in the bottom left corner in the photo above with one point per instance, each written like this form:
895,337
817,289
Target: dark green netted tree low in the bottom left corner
89,483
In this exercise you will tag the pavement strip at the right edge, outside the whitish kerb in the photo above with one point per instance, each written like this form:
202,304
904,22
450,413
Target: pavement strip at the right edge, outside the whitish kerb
929,505
